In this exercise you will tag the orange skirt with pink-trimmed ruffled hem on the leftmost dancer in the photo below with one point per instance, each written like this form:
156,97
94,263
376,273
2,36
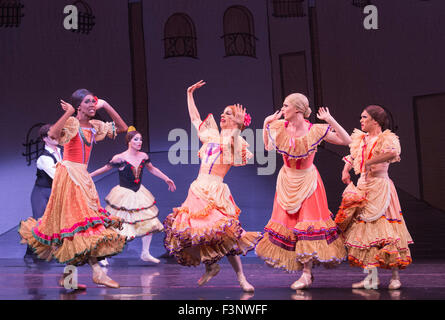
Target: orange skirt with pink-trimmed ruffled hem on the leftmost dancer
74,227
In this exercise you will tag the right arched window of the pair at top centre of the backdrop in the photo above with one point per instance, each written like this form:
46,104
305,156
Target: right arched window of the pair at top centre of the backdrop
239,34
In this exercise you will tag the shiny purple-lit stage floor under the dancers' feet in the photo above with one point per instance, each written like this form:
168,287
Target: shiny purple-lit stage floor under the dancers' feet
169,281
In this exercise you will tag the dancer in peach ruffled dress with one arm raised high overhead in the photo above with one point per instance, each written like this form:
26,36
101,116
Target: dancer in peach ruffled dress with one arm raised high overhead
206,227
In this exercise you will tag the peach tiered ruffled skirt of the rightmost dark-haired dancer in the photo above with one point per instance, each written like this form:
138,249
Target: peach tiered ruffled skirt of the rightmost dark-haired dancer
375,231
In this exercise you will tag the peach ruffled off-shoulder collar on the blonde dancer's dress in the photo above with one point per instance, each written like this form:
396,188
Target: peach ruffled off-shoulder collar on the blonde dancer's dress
296,147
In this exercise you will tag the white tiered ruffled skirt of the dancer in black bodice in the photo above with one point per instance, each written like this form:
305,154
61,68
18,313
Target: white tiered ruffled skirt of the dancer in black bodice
136,209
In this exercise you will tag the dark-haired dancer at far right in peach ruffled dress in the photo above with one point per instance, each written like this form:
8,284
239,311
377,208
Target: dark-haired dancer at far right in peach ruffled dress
375,231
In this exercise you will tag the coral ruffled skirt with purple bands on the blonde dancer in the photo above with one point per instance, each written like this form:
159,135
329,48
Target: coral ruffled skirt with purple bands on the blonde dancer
308,235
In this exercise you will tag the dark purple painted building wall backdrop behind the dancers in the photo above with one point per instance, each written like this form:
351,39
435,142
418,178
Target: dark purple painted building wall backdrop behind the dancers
41,62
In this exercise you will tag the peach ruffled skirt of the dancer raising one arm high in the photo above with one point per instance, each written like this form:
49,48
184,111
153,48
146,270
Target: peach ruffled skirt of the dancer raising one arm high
206,227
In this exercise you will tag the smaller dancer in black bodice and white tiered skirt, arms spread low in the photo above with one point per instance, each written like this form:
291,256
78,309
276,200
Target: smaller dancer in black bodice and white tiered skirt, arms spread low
130,200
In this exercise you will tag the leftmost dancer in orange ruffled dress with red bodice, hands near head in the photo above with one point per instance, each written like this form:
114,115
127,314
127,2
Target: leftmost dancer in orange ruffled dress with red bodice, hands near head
74,228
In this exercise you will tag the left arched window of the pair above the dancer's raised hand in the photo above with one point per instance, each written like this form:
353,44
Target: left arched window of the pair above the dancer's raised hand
180,37
